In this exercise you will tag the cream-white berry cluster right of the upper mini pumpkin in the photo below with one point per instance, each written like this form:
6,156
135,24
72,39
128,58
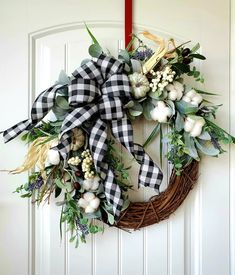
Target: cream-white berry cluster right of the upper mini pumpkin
161,78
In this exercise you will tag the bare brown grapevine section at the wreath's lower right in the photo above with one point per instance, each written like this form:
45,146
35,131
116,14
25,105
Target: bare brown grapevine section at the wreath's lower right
160,207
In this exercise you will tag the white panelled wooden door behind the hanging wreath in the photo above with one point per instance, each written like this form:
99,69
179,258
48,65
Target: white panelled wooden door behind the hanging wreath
38,39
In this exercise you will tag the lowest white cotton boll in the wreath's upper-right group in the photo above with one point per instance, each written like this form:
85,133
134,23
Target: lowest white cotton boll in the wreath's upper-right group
193,125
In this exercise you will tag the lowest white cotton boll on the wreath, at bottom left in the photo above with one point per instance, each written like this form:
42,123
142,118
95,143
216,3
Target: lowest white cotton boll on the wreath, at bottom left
89,202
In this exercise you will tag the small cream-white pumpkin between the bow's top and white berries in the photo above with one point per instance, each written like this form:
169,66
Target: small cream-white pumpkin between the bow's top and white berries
140,85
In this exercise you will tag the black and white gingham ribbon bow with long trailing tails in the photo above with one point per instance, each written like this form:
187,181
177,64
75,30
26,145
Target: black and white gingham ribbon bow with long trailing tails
98,90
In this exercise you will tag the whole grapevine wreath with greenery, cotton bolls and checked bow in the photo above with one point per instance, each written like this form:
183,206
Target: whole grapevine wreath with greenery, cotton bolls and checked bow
77,126
